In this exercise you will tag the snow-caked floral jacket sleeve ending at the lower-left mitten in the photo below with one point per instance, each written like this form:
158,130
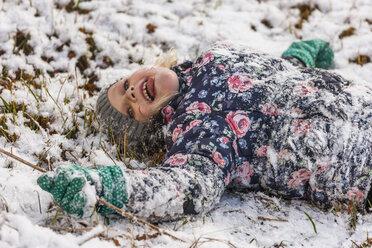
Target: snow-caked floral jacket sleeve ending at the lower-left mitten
191,179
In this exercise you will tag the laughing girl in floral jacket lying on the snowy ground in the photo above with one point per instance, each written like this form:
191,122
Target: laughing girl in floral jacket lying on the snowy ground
234,117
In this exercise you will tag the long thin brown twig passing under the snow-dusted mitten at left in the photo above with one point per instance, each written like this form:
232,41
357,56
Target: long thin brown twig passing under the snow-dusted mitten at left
118,210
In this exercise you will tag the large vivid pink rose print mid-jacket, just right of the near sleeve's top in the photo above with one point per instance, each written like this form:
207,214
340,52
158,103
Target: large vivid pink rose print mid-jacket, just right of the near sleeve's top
239,122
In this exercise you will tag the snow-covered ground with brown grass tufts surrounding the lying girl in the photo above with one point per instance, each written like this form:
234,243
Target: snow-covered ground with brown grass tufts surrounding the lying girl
56,55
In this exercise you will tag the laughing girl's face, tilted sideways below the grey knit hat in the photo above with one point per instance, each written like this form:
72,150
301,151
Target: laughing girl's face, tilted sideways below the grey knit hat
141,95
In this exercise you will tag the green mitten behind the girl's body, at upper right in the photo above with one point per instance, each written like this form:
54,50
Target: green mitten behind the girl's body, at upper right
314,53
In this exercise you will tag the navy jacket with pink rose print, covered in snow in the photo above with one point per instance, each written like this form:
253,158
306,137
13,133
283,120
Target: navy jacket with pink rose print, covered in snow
247,119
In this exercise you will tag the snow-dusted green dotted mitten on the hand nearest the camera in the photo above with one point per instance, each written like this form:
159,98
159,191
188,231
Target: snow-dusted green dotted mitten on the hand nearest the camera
70,189
